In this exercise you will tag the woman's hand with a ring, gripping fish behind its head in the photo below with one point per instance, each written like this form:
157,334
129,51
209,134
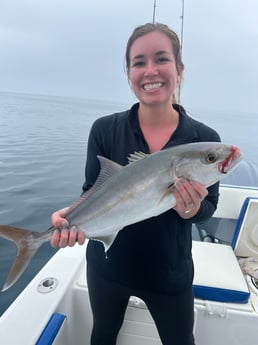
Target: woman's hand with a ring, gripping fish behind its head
189,196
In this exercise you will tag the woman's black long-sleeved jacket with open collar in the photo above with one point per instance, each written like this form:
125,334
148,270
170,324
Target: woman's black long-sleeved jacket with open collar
154,254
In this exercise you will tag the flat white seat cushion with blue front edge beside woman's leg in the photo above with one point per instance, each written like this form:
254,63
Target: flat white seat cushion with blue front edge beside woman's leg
218,276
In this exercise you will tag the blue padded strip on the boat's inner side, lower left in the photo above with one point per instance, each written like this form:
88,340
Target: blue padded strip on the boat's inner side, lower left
51,330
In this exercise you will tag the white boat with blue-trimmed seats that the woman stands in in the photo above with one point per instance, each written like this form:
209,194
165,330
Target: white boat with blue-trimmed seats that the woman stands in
54,308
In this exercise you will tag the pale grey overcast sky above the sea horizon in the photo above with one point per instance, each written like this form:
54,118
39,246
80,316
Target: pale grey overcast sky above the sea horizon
76,48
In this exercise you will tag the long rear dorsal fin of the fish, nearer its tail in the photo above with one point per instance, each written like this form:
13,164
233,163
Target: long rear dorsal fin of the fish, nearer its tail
107,169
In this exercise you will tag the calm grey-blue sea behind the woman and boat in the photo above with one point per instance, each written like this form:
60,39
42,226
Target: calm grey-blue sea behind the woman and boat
42,156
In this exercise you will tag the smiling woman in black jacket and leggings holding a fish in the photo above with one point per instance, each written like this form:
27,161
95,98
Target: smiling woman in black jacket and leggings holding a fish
151,259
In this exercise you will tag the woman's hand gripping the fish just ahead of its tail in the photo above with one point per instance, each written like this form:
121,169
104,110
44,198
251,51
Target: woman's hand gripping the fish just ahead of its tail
66,236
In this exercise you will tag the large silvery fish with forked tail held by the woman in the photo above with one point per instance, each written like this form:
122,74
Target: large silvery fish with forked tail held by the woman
129,194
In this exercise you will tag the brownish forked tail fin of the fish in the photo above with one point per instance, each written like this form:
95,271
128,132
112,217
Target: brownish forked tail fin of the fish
27,242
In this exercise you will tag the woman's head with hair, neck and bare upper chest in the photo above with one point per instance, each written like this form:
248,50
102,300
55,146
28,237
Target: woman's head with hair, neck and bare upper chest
154,69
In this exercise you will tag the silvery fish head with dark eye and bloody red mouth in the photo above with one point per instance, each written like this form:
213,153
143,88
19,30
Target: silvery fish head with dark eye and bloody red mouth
206,162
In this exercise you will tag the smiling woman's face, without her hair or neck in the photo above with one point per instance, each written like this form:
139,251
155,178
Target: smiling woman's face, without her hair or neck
152,71
